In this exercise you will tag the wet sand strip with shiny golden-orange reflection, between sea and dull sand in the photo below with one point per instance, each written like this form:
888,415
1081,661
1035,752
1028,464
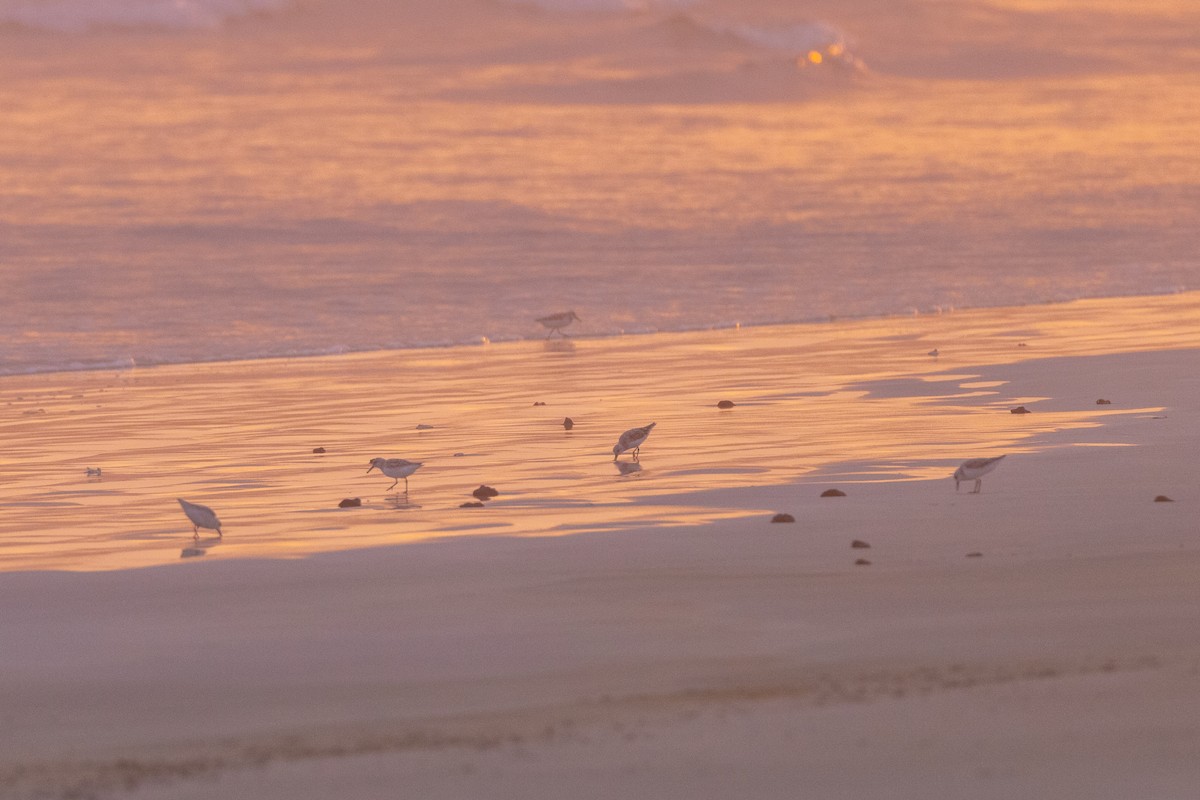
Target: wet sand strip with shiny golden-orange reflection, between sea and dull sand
845,402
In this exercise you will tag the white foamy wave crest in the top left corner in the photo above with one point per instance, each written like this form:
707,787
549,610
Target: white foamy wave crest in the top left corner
77,16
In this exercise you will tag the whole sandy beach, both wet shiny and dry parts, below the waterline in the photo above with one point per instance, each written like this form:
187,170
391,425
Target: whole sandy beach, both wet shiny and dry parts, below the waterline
602,631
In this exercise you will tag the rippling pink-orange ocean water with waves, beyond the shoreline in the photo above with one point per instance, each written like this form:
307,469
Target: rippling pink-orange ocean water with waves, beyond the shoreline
227,179
